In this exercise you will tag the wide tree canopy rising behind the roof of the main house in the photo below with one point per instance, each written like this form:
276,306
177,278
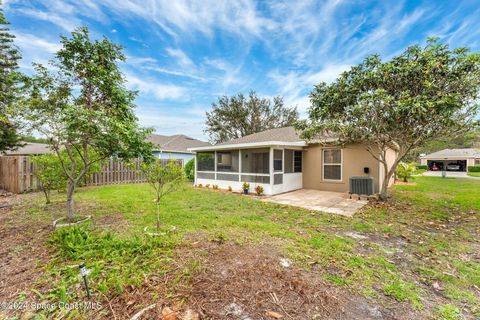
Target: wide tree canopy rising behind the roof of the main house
238,116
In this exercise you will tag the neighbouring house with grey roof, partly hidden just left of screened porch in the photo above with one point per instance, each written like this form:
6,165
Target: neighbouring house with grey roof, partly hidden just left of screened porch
175,147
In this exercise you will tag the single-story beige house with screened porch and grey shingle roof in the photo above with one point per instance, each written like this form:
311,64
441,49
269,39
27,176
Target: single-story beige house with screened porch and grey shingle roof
280,161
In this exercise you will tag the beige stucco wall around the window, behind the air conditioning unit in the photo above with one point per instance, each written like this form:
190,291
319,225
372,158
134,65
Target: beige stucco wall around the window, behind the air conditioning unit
355,158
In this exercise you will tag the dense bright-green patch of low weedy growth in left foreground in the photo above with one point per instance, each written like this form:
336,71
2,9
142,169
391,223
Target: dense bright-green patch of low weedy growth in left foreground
115,262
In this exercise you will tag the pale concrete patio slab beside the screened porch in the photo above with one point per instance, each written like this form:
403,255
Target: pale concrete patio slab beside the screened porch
326,201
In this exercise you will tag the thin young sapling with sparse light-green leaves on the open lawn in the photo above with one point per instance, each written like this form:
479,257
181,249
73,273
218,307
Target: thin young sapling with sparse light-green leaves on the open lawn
164,179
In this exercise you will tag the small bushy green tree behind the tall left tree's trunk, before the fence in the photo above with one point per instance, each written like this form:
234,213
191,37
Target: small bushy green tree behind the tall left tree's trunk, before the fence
50,174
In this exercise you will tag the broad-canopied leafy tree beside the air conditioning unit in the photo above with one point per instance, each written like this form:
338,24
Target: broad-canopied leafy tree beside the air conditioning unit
423,94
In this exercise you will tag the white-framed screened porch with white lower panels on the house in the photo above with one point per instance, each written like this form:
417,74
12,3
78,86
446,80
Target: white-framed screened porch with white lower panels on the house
277,169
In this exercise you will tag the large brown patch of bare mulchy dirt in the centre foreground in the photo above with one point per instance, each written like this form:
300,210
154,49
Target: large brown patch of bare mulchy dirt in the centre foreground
246,282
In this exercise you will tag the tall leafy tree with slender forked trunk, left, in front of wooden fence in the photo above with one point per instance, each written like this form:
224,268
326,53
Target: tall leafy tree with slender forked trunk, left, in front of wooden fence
84,109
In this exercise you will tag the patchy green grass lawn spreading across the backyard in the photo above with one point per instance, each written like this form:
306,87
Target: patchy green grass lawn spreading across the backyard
420,251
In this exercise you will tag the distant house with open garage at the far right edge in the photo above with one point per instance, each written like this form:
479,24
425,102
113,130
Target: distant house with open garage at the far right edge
451,159
